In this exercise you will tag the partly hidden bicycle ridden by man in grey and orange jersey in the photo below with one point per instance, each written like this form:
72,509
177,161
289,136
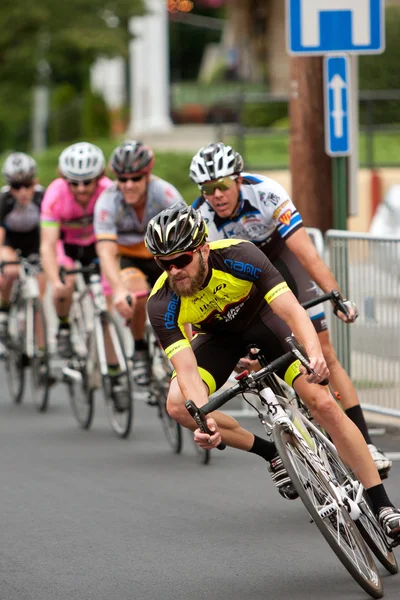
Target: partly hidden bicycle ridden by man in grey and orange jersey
160,370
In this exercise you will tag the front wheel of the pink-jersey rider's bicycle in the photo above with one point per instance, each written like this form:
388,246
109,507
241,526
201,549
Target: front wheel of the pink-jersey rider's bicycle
120,418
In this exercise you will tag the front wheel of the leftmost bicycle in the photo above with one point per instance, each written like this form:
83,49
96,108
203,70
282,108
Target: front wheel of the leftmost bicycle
40,363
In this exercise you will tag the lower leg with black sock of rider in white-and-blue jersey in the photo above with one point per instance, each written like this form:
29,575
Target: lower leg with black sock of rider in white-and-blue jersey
347,395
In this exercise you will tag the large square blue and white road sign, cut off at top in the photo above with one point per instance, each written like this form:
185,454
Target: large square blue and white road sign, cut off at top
327,26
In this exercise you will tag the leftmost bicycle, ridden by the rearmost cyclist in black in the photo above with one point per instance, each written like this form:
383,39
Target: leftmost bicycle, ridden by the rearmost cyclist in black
26,341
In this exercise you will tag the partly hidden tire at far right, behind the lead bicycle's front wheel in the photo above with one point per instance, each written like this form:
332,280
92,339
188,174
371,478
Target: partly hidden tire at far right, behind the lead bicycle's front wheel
367,524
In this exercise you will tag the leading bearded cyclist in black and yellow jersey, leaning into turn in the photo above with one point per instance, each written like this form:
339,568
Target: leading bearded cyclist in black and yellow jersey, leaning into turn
231,293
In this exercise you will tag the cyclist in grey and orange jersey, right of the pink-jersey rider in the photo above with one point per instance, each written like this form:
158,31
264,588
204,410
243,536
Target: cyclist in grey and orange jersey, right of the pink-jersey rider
122,214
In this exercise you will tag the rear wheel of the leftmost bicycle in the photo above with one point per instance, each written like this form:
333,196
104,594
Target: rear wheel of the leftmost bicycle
15,359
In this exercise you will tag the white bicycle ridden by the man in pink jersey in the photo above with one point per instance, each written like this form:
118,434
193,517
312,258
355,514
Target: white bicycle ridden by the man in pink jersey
88,369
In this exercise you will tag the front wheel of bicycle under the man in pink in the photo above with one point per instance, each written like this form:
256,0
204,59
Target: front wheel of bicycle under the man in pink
116,386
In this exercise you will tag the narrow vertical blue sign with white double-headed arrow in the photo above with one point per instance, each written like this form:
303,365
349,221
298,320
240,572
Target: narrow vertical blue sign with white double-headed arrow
337,105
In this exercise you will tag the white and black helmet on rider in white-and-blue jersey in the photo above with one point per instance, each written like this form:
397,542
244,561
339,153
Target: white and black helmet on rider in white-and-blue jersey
215,161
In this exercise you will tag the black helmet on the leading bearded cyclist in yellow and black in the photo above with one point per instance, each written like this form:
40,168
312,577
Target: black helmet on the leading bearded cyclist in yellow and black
175,229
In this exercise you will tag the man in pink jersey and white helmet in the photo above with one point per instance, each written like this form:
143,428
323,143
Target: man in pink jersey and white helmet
67,225
